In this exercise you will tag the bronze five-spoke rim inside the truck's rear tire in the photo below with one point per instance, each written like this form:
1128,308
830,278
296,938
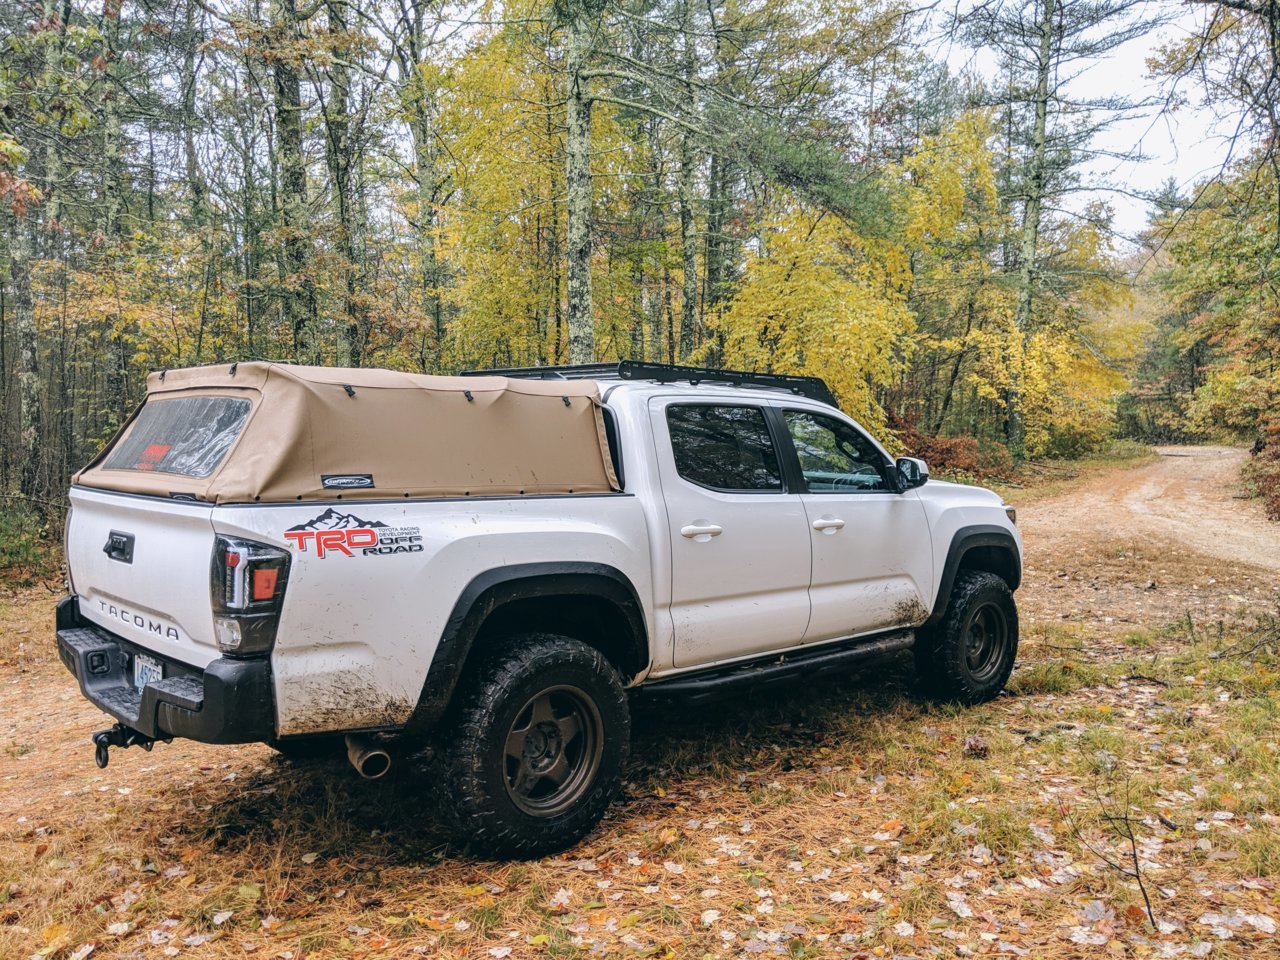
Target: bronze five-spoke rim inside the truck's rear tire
554,751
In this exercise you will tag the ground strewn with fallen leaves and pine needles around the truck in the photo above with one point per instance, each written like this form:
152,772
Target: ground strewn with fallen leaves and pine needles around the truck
1121,801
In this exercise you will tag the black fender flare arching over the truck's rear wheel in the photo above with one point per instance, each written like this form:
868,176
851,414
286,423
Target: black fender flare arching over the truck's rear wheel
500,587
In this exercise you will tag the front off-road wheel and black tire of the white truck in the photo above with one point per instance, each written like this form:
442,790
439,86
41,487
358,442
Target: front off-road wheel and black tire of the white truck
950,659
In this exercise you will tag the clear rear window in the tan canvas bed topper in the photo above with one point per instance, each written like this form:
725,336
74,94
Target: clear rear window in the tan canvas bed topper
181,436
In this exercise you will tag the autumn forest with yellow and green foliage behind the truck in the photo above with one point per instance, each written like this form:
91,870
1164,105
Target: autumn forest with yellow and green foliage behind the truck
780,186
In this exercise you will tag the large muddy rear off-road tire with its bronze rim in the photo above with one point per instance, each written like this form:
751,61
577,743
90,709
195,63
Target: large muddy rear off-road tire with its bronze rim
495,708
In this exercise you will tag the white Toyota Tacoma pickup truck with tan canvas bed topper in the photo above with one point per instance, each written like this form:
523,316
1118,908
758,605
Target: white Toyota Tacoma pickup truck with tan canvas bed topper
495,565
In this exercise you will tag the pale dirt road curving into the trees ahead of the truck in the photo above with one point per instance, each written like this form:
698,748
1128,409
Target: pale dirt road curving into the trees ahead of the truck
1148,545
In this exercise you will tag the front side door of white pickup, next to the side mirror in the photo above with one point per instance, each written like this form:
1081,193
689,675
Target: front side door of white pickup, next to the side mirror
872,554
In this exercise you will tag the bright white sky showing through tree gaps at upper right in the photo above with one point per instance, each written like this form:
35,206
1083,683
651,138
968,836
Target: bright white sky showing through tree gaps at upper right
1186,144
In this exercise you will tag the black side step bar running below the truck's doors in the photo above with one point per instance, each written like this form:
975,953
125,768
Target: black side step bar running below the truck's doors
755,675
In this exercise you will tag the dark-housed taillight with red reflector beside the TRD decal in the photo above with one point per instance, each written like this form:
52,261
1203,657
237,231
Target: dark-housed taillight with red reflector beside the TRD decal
248,584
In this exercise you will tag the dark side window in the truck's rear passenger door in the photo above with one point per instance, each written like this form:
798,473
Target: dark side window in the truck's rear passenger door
725,449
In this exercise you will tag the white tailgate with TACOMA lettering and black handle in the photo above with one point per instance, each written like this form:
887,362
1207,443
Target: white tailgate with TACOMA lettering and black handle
140,566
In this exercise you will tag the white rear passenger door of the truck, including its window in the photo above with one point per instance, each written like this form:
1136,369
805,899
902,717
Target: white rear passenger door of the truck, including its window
739,541
